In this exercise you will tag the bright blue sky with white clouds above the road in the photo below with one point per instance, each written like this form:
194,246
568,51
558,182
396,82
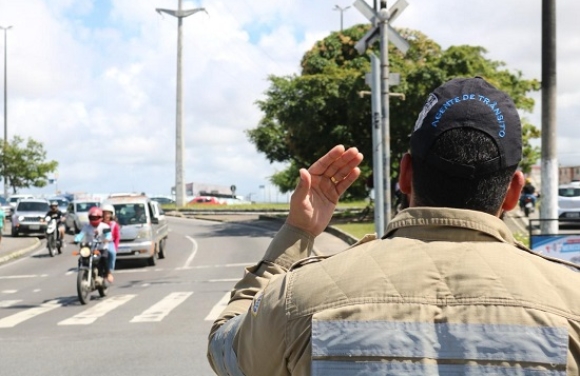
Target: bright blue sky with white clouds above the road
95,80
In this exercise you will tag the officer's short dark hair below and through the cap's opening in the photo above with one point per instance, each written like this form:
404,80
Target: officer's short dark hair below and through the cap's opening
432,187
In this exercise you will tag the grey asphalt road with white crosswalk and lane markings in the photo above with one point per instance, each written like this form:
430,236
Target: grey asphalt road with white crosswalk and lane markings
154,321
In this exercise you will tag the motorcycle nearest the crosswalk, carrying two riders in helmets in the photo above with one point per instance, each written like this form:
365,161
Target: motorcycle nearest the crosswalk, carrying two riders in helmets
91,272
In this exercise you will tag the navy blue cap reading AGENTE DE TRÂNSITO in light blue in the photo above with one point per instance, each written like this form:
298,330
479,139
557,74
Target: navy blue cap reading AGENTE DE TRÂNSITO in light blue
469,103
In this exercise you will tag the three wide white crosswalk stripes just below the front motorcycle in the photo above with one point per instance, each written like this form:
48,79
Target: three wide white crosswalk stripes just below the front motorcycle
94,311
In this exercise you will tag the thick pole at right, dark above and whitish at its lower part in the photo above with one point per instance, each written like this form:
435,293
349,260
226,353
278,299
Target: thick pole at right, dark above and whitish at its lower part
549,207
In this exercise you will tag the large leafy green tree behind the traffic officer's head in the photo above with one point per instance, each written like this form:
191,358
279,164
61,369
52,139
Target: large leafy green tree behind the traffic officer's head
305,115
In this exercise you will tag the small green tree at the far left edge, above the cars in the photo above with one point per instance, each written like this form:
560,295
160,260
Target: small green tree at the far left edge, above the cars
25,164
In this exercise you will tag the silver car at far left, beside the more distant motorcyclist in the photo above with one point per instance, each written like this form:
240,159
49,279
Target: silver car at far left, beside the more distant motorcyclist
28,217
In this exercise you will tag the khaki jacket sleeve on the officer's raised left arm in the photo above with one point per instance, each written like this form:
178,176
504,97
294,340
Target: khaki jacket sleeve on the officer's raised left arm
248,336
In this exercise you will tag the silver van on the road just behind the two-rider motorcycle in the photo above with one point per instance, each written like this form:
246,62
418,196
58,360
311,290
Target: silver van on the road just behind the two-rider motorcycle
144,229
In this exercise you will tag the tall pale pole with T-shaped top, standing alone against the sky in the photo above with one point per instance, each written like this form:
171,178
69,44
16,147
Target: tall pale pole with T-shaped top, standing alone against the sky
179,143
